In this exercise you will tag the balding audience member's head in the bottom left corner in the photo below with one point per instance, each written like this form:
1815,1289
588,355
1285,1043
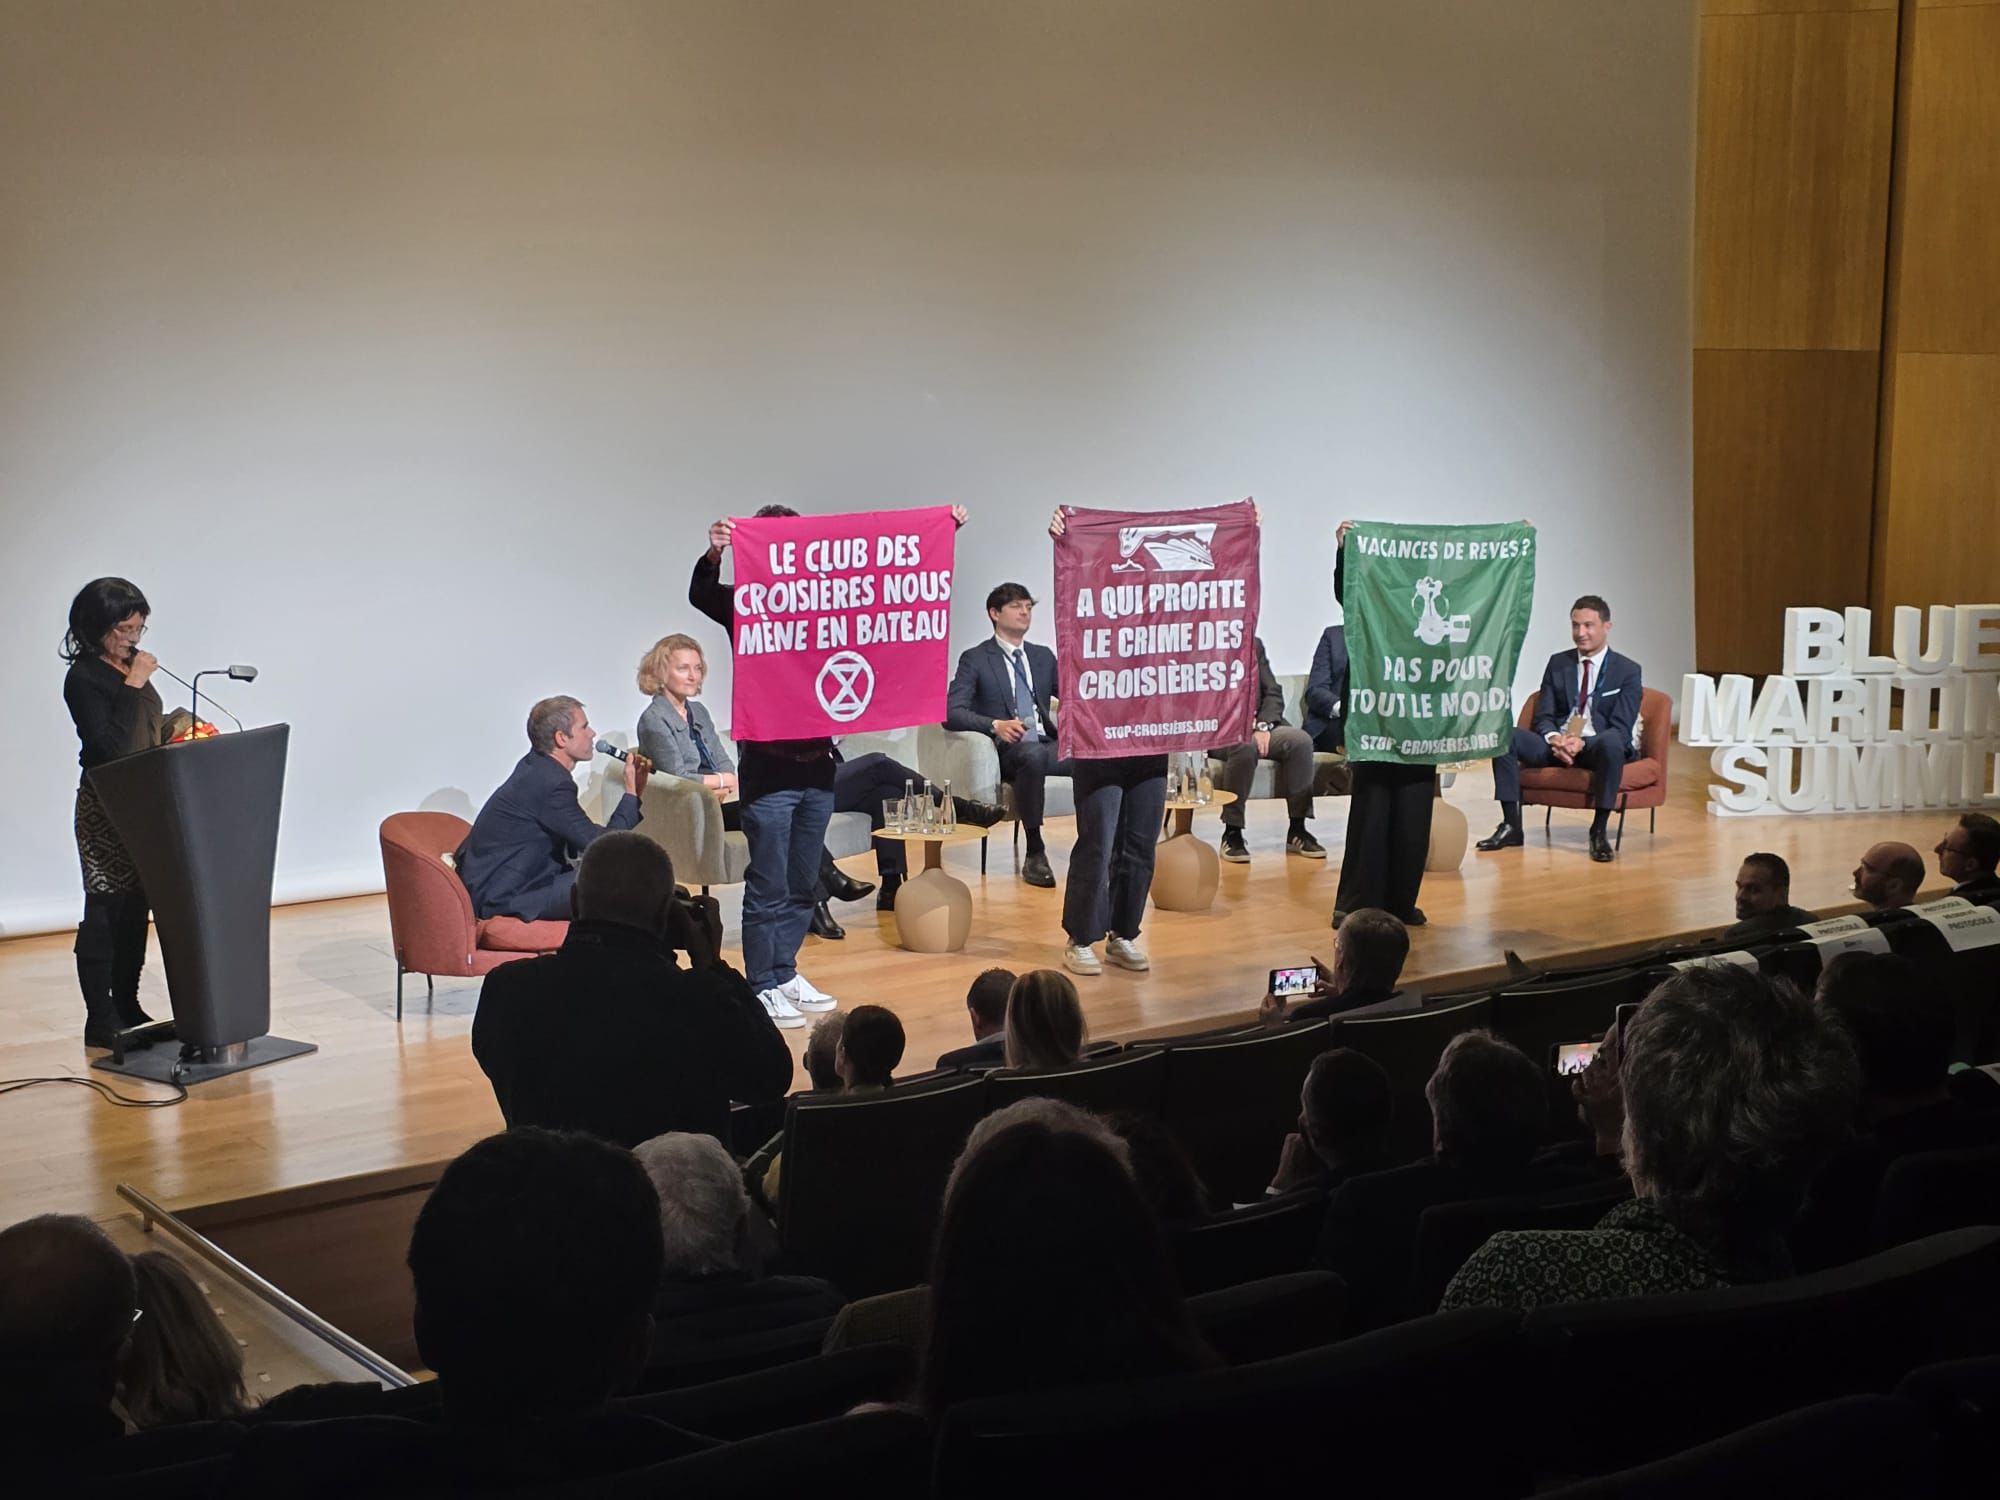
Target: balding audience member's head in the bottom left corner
67,1307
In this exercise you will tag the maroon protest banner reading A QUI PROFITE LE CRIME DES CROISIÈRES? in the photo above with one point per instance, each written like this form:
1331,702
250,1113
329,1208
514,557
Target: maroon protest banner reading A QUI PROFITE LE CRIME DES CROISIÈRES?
1157,629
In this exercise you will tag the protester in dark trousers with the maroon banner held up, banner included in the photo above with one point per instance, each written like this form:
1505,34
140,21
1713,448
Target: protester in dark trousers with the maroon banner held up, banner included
1155,643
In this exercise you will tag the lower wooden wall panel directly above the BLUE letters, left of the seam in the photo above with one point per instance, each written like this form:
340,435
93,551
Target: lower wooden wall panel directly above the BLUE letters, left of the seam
1783,493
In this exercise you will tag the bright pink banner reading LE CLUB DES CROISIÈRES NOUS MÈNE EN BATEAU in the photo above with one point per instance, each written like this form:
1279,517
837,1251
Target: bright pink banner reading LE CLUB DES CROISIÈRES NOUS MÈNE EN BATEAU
843,623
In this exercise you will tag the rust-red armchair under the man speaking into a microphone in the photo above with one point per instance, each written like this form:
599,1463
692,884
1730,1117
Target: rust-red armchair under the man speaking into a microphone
431,915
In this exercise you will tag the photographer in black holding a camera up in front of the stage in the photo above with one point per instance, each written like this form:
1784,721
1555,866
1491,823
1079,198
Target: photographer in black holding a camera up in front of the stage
615,1035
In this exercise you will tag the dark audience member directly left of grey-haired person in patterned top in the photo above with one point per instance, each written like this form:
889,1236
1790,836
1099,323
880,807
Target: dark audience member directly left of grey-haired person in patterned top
1489,1105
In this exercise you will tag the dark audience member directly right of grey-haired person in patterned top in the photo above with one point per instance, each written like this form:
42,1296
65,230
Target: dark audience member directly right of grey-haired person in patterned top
1903,1039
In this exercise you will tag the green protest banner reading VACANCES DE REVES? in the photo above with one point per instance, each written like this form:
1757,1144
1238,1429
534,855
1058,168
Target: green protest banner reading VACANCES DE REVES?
1435,625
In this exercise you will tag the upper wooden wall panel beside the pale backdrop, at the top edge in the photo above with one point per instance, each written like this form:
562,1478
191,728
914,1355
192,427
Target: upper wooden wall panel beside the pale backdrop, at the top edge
1793,161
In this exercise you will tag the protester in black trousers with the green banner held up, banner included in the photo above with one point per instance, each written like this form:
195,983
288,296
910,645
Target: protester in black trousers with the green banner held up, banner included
1435,619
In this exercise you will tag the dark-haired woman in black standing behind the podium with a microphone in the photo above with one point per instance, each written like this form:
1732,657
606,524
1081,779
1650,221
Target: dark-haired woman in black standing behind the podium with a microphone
117,713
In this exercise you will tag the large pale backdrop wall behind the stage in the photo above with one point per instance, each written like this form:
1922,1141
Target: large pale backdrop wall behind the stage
407,347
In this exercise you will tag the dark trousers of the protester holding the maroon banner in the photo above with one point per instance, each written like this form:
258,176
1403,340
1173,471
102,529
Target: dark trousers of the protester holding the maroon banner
1119,809
